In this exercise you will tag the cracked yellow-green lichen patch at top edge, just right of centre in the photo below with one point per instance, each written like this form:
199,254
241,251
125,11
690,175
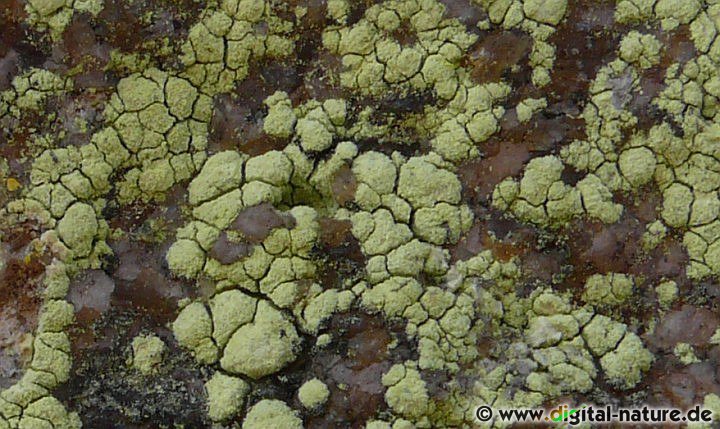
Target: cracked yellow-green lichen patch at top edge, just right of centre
376,62
